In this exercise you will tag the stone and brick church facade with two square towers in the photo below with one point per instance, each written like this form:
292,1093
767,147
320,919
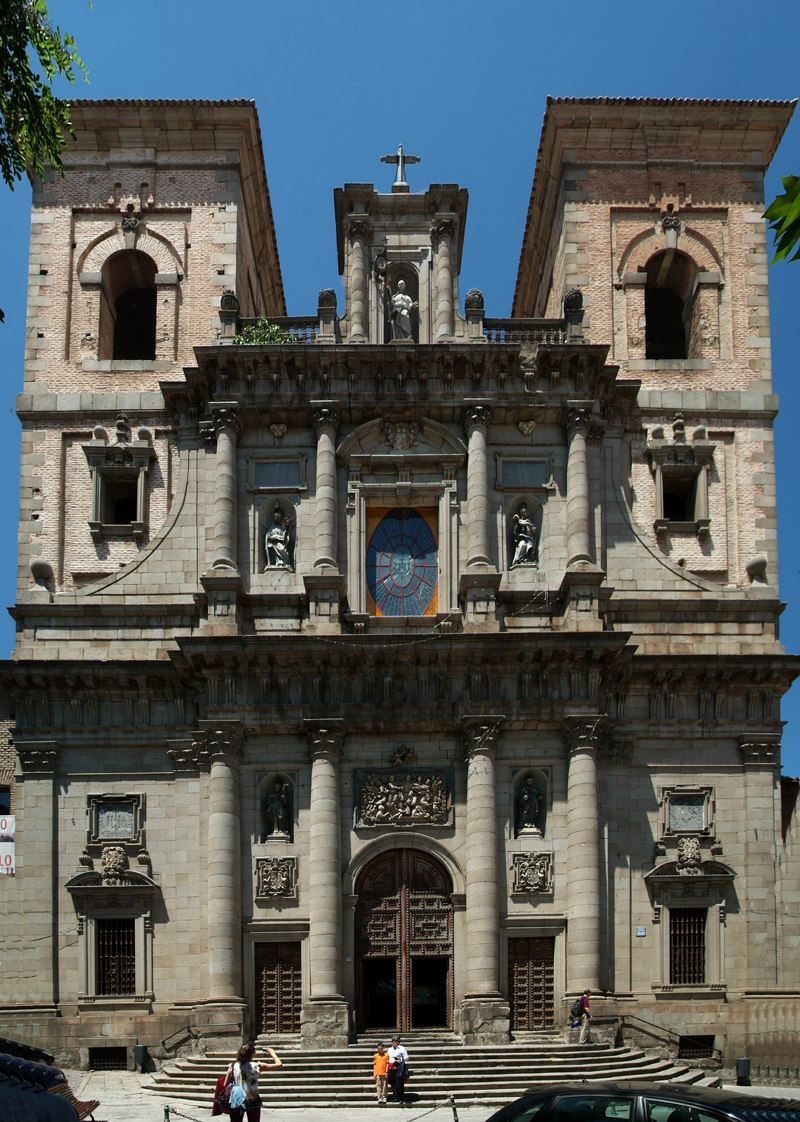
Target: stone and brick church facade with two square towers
403,668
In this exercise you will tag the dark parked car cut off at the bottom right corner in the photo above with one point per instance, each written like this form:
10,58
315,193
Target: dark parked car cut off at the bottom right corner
645,1102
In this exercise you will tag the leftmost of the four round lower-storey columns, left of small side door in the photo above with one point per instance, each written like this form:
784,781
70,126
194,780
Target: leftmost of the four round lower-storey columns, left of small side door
223,748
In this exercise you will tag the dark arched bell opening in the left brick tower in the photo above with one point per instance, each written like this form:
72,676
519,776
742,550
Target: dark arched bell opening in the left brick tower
128,307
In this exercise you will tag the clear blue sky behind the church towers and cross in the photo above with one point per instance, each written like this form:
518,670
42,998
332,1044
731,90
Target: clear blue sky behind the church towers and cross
464,86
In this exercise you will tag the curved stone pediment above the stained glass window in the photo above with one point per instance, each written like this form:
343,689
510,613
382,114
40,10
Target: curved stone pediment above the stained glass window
391,442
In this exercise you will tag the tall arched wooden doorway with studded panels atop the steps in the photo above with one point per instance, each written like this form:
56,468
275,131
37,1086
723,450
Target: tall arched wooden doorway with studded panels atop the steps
404,943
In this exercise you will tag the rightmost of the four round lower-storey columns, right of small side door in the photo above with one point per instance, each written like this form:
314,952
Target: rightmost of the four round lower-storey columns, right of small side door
583,739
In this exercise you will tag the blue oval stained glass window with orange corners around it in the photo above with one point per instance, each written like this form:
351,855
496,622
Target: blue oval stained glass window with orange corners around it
402,565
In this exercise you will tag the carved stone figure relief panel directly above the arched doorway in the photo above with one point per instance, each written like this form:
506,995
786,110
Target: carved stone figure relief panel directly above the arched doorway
408,798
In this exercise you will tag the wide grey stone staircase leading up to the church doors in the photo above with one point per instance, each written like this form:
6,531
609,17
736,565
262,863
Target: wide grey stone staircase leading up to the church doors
439,1065
